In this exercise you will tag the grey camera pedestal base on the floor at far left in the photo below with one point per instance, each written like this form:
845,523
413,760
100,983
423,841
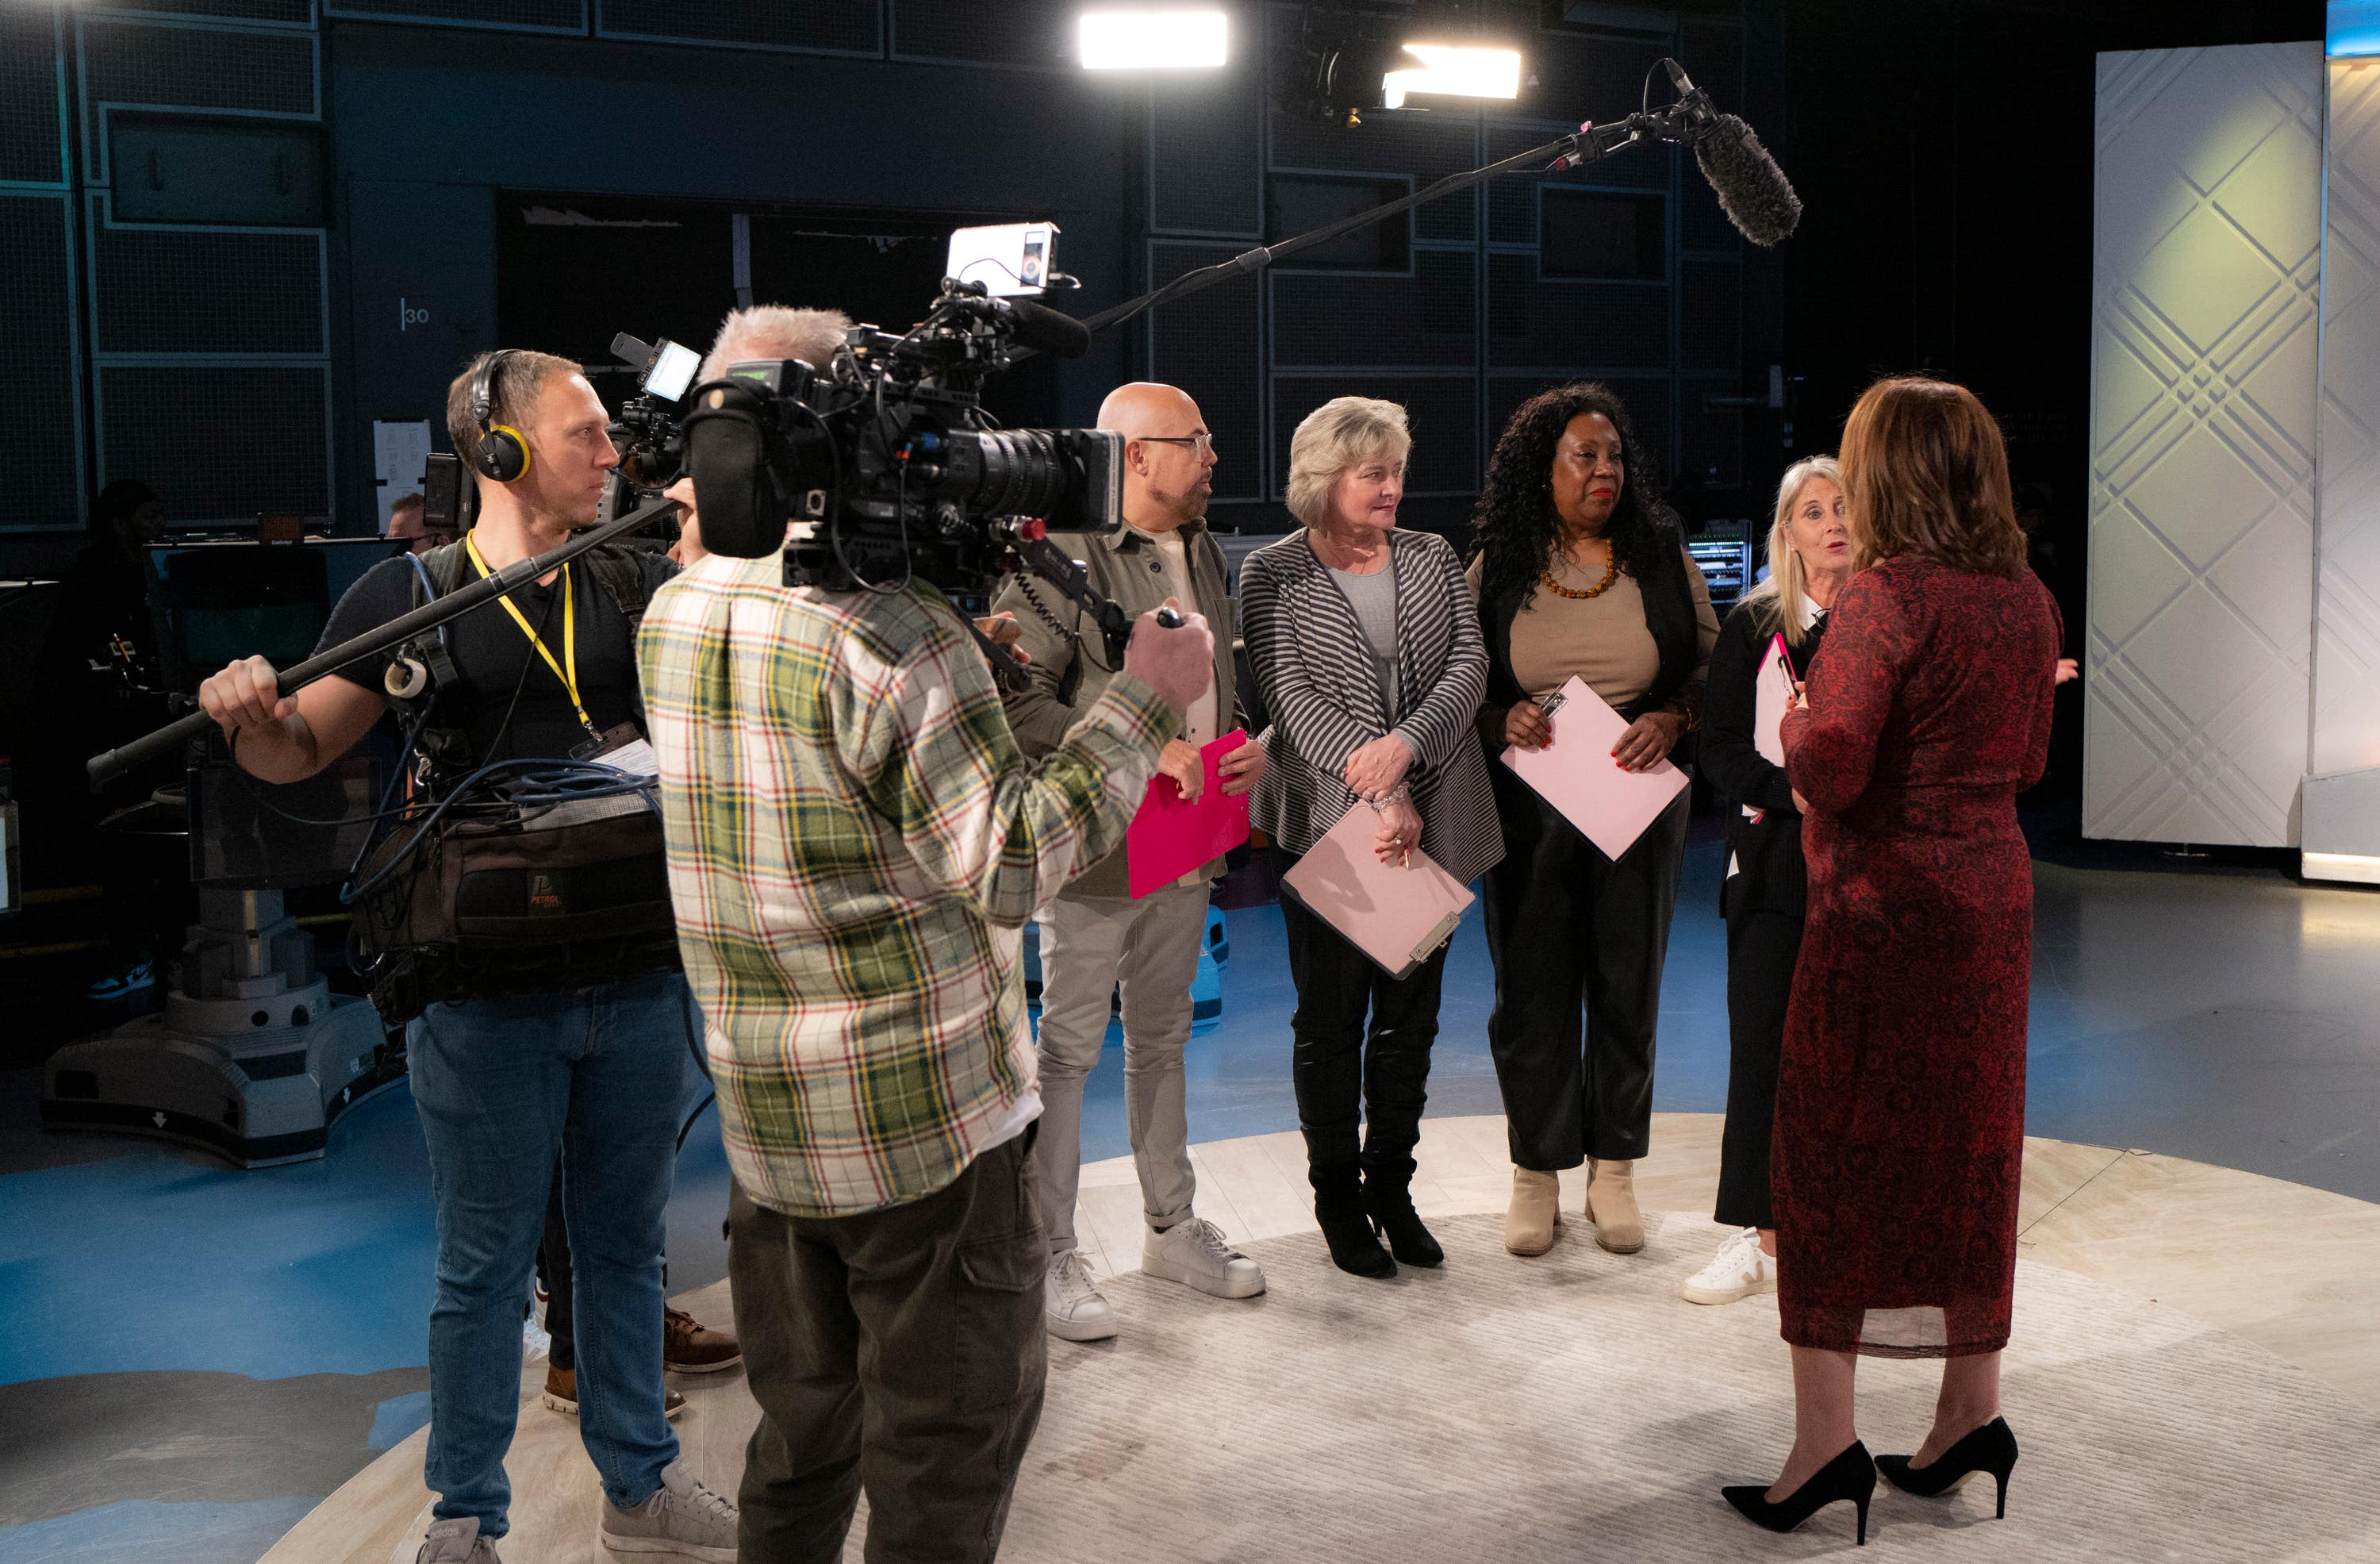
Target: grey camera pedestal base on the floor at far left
253,1056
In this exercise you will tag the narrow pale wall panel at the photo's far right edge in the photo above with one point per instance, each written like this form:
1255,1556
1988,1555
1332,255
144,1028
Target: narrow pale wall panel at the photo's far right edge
2348,584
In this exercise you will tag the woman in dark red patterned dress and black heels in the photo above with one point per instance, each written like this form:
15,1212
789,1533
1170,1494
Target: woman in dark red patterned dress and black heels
1903,1091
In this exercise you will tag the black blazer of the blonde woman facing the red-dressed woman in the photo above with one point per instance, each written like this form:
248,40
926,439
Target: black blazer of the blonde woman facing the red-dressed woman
1772,875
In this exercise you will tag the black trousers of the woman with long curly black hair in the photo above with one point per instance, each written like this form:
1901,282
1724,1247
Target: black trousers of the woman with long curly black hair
1579,944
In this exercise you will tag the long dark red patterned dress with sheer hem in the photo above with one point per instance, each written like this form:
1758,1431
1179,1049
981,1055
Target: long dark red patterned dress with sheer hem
1903,1091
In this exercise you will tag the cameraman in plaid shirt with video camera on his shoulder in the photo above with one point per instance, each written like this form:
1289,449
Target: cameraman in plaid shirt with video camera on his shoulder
856,846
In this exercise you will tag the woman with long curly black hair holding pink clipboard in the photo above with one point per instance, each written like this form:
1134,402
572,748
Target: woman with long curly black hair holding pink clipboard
1582,570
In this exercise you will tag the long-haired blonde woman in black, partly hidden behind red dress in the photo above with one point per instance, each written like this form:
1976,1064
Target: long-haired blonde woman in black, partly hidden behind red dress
1765,889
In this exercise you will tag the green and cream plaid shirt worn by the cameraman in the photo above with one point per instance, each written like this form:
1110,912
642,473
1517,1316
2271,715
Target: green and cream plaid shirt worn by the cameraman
856,844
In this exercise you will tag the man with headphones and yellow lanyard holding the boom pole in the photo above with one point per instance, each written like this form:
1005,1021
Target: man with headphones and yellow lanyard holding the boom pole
599,1068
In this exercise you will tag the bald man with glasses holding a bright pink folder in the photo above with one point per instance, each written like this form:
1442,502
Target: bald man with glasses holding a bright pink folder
1096,937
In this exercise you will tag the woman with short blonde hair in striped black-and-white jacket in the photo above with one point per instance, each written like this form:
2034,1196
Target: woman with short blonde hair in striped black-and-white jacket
1370,661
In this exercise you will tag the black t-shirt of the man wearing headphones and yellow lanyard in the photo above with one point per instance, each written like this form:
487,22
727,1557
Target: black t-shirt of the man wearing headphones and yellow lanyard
508,703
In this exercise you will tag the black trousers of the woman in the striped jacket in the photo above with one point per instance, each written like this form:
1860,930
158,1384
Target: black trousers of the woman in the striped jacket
1346,1070
